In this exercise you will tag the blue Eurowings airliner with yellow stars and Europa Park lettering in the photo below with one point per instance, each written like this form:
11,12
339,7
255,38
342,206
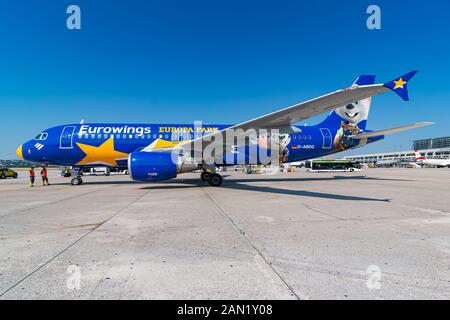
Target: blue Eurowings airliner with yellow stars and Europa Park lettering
154,152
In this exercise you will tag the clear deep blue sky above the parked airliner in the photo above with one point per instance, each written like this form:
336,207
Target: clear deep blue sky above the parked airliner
216,61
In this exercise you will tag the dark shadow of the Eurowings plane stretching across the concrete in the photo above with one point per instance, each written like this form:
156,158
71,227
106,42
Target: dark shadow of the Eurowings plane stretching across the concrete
241,184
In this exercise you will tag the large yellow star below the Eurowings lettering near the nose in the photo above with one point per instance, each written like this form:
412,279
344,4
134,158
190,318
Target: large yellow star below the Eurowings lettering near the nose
104,153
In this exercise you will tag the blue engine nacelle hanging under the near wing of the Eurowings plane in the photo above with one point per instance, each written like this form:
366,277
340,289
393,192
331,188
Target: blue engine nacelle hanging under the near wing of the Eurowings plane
157,166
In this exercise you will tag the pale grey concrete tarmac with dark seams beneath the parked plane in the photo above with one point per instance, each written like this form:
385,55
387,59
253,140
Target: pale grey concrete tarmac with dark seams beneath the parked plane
376,234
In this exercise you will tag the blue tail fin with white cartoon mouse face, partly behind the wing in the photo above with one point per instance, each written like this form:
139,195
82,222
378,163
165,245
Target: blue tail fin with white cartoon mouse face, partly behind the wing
355,113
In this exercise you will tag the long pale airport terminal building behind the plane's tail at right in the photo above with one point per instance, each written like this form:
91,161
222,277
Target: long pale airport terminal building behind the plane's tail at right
437,148
